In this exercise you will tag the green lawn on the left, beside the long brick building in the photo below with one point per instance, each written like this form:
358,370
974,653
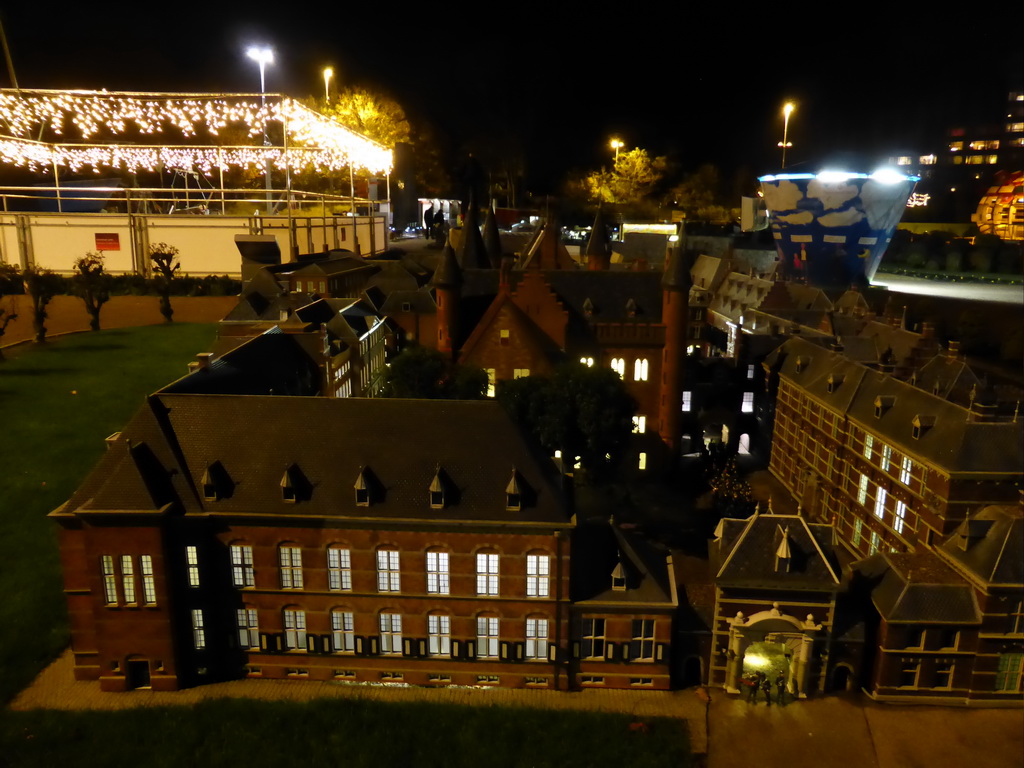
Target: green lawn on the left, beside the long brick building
58,403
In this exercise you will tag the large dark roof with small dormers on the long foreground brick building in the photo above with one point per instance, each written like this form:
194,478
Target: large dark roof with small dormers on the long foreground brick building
326,444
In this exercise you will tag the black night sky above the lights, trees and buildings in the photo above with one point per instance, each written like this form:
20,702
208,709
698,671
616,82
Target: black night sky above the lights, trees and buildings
698,89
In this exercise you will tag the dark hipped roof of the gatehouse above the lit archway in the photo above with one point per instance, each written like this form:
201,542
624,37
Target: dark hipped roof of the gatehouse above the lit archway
753,553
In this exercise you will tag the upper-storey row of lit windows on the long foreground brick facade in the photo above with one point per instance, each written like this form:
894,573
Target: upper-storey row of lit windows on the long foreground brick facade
339,564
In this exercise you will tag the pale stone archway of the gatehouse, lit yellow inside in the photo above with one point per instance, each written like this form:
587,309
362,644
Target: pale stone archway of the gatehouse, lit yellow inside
766,636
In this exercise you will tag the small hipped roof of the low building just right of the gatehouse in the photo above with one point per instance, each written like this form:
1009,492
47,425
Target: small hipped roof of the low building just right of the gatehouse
918,588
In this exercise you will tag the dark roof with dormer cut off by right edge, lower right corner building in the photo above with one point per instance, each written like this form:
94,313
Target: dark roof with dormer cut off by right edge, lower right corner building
991,546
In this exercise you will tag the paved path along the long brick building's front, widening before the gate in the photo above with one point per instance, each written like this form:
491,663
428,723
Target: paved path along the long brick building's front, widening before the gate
848,732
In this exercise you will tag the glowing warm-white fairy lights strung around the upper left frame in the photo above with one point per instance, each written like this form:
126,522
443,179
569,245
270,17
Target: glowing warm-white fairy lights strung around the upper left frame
314,142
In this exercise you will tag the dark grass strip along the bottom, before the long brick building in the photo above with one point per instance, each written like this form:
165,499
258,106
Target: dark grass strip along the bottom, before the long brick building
337,733
